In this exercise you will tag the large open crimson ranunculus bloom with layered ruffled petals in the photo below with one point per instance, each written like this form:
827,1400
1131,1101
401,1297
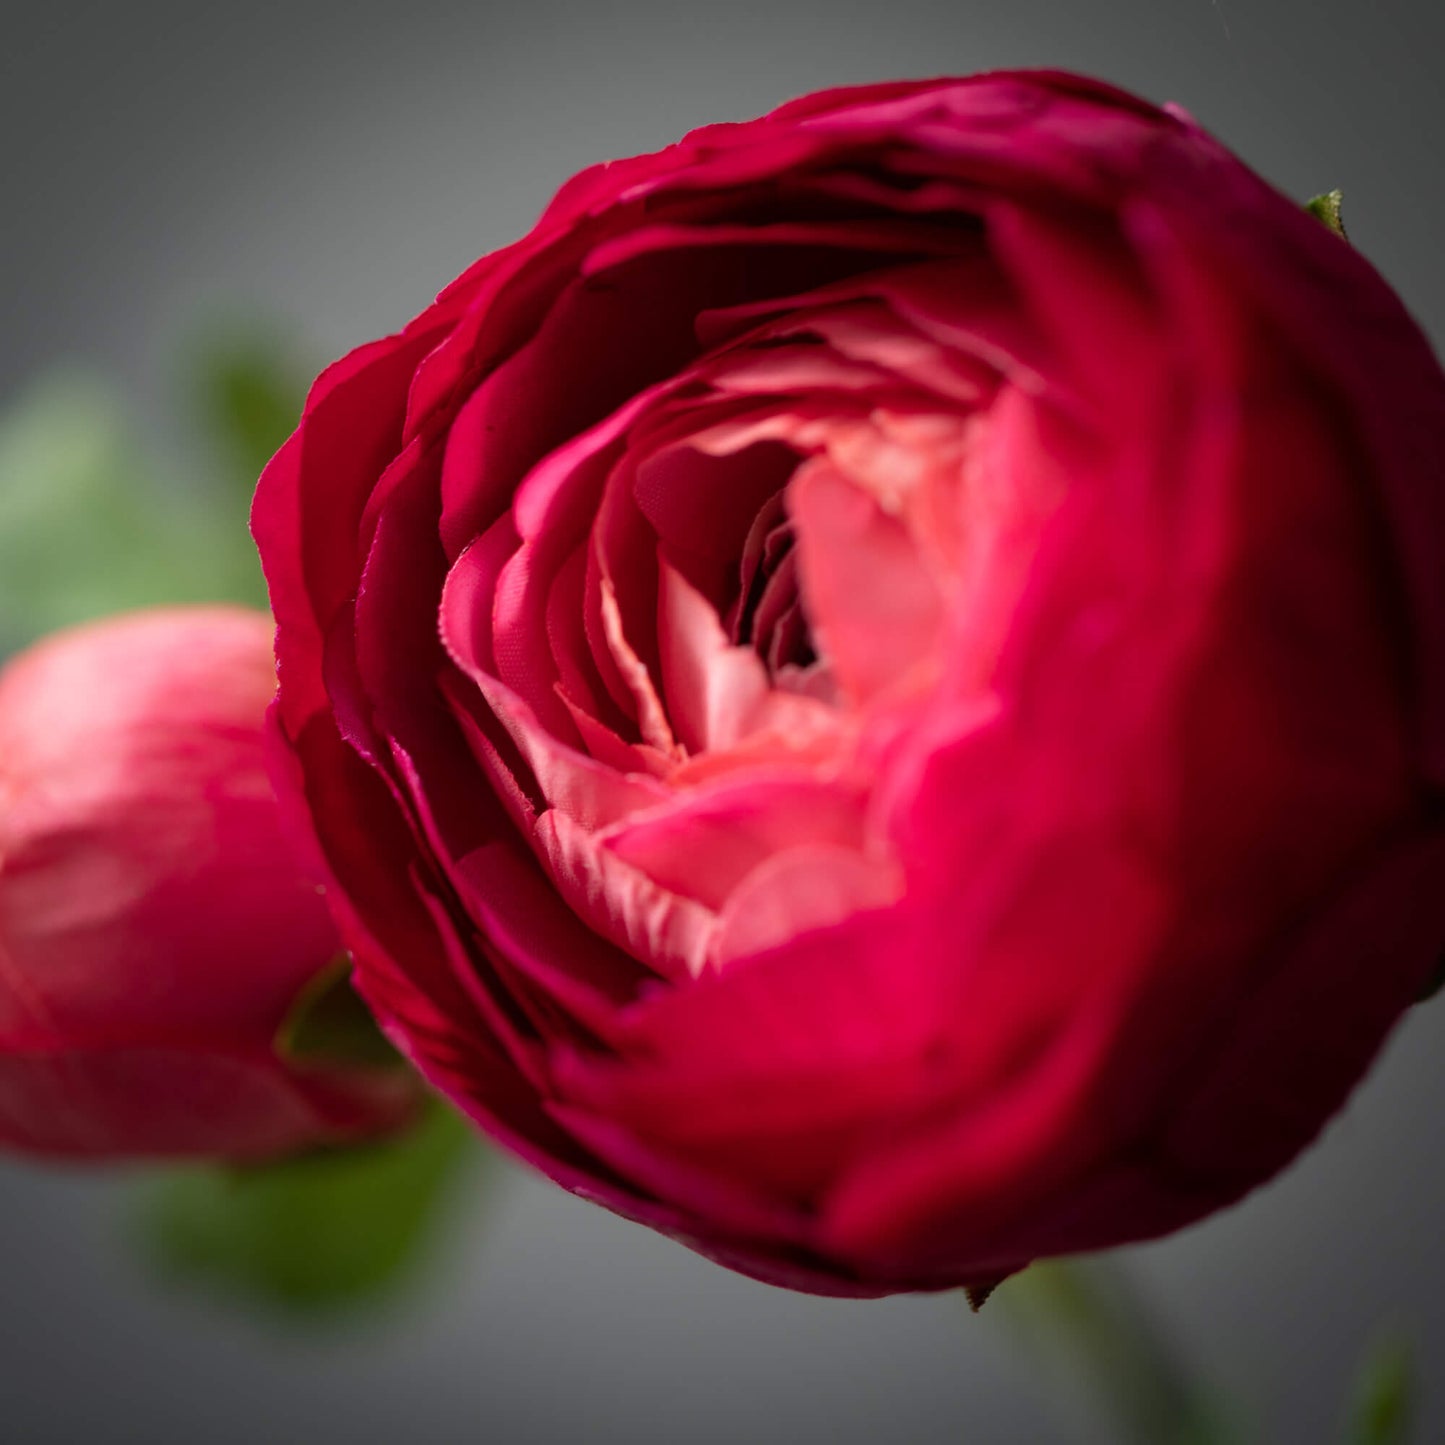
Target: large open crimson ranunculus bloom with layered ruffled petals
874,691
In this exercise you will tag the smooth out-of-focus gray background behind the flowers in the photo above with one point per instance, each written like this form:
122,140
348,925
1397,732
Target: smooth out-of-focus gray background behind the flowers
333,165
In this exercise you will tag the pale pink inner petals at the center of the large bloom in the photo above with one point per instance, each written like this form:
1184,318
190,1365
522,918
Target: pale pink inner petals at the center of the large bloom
700,608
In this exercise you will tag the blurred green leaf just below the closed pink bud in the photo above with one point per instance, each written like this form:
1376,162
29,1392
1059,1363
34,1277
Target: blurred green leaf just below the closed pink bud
319,1235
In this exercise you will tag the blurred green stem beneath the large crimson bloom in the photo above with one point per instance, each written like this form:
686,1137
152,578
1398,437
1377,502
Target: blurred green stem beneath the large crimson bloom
1087,1320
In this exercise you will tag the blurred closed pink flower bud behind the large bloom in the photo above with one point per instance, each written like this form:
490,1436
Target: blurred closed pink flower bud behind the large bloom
155,931
